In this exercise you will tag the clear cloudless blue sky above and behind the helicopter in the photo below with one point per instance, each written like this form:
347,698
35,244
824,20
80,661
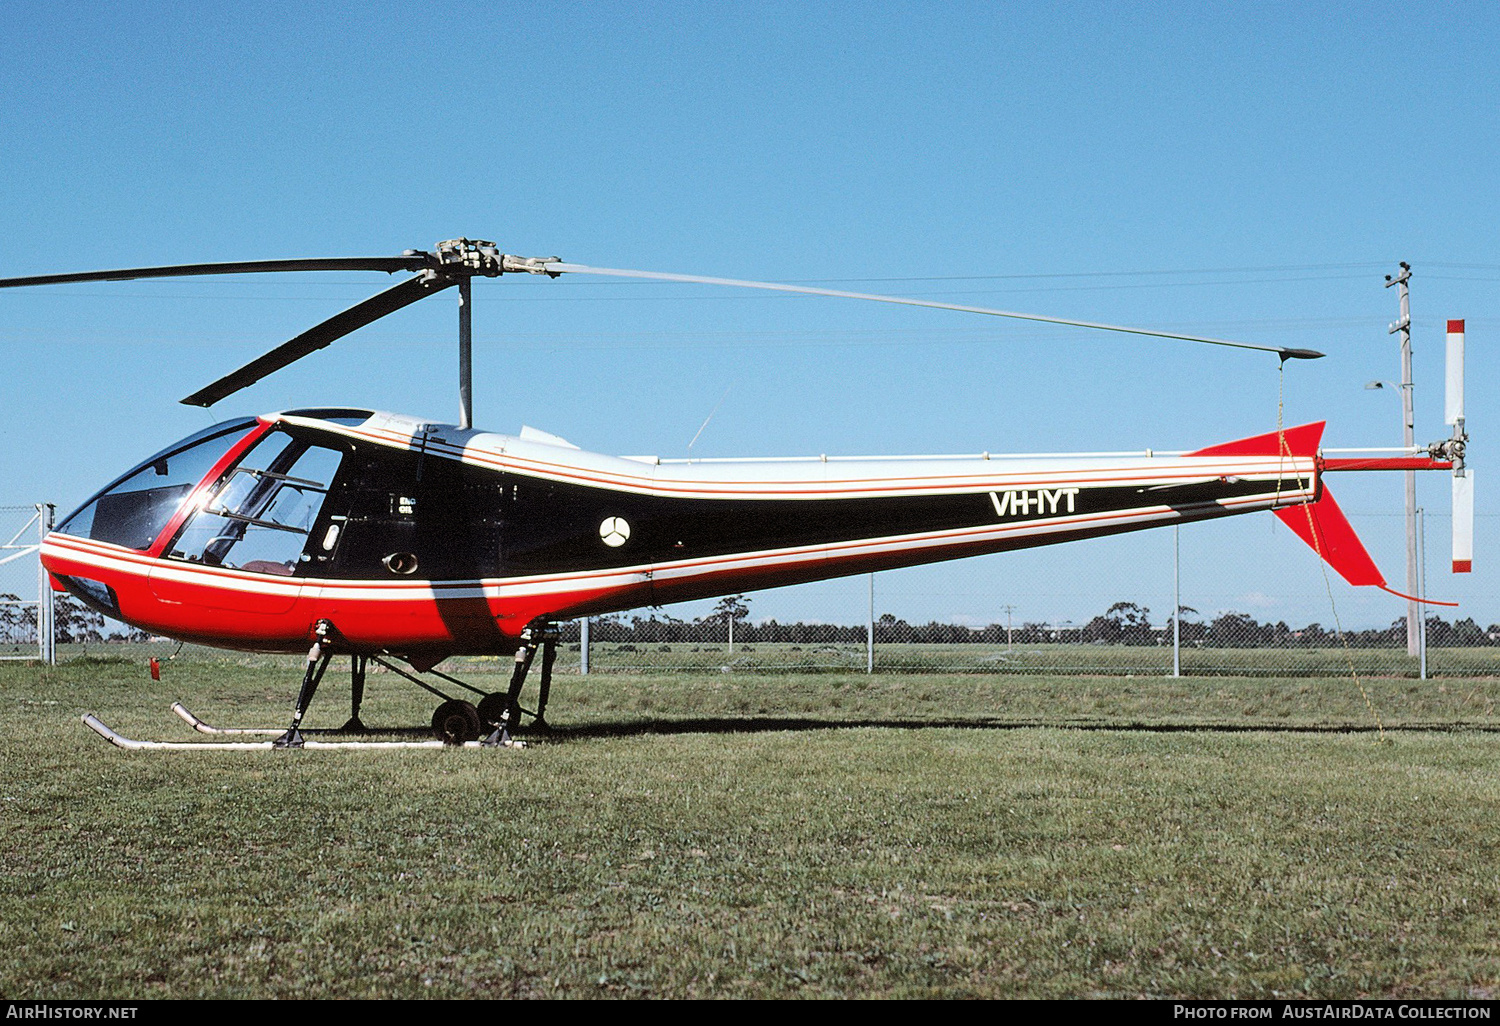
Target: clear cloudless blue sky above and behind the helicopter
1247,172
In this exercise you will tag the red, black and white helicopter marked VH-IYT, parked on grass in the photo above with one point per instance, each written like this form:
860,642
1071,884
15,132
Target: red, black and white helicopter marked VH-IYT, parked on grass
377,536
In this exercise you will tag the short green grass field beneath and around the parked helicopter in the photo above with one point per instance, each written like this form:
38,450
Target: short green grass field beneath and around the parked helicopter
778,836
